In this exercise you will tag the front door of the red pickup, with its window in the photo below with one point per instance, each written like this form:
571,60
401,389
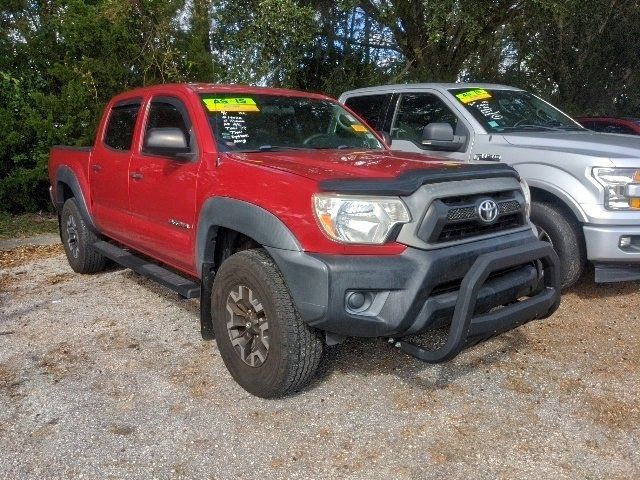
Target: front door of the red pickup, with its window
162,189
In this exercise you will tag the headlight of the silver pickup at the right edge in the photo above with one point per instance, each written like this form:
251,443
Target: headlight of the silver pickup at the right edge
621,187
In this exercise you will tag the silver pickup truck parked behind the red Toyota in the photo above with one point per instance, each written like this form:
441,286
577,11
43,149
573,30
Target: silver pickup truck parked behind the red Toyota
585,186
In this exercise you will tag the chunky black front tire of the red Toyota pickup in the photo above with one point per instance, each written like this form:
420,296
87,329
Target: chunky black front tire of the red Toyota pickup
294,349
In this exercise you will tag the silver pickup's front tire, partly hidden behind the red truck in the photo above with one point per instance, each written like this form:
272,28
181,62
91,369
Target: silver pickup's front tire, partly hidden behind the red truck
564,233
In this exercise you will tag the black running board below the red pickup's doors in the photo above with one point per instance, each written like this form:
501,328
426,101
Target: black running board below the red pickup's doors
187,288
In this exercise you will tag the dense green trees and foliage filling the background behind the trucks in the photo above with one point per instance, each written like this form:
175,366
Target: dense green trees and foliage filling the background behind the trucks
61,60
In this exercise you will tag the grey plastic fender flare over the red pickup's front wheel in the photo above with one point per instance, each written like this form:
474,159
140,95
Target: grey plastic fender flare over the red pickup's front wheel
251,220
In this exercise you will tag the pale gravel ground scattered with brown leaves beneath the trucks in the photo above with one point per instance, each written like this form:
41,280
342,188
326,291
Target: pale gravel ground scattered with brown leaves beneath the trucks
106,376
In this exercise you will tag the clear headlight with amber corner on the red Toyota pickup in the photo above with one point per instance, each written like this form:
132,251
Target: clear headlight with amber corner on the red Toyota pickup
359,219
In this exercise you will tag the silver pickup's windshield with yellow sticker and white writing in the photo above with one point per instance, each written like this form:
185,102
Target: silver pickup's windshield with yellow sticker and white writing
502,111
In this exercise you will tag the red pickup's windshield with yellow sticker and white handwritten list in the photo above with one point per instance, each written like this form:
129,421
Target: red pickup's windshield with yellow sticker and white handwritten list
247,122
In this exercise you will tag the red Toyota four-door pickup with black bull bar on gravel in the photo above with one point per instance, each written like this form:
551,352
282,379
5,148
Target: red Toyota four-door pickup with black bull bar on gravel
297,227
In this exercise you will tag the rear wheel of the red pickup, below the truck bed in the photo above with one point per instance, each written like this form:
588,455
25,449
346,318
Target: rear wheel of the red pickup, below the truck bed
77,240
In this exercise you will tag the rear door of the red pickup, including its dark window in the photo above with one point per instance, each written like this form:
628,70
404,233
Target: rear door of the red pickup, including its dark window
109,169
